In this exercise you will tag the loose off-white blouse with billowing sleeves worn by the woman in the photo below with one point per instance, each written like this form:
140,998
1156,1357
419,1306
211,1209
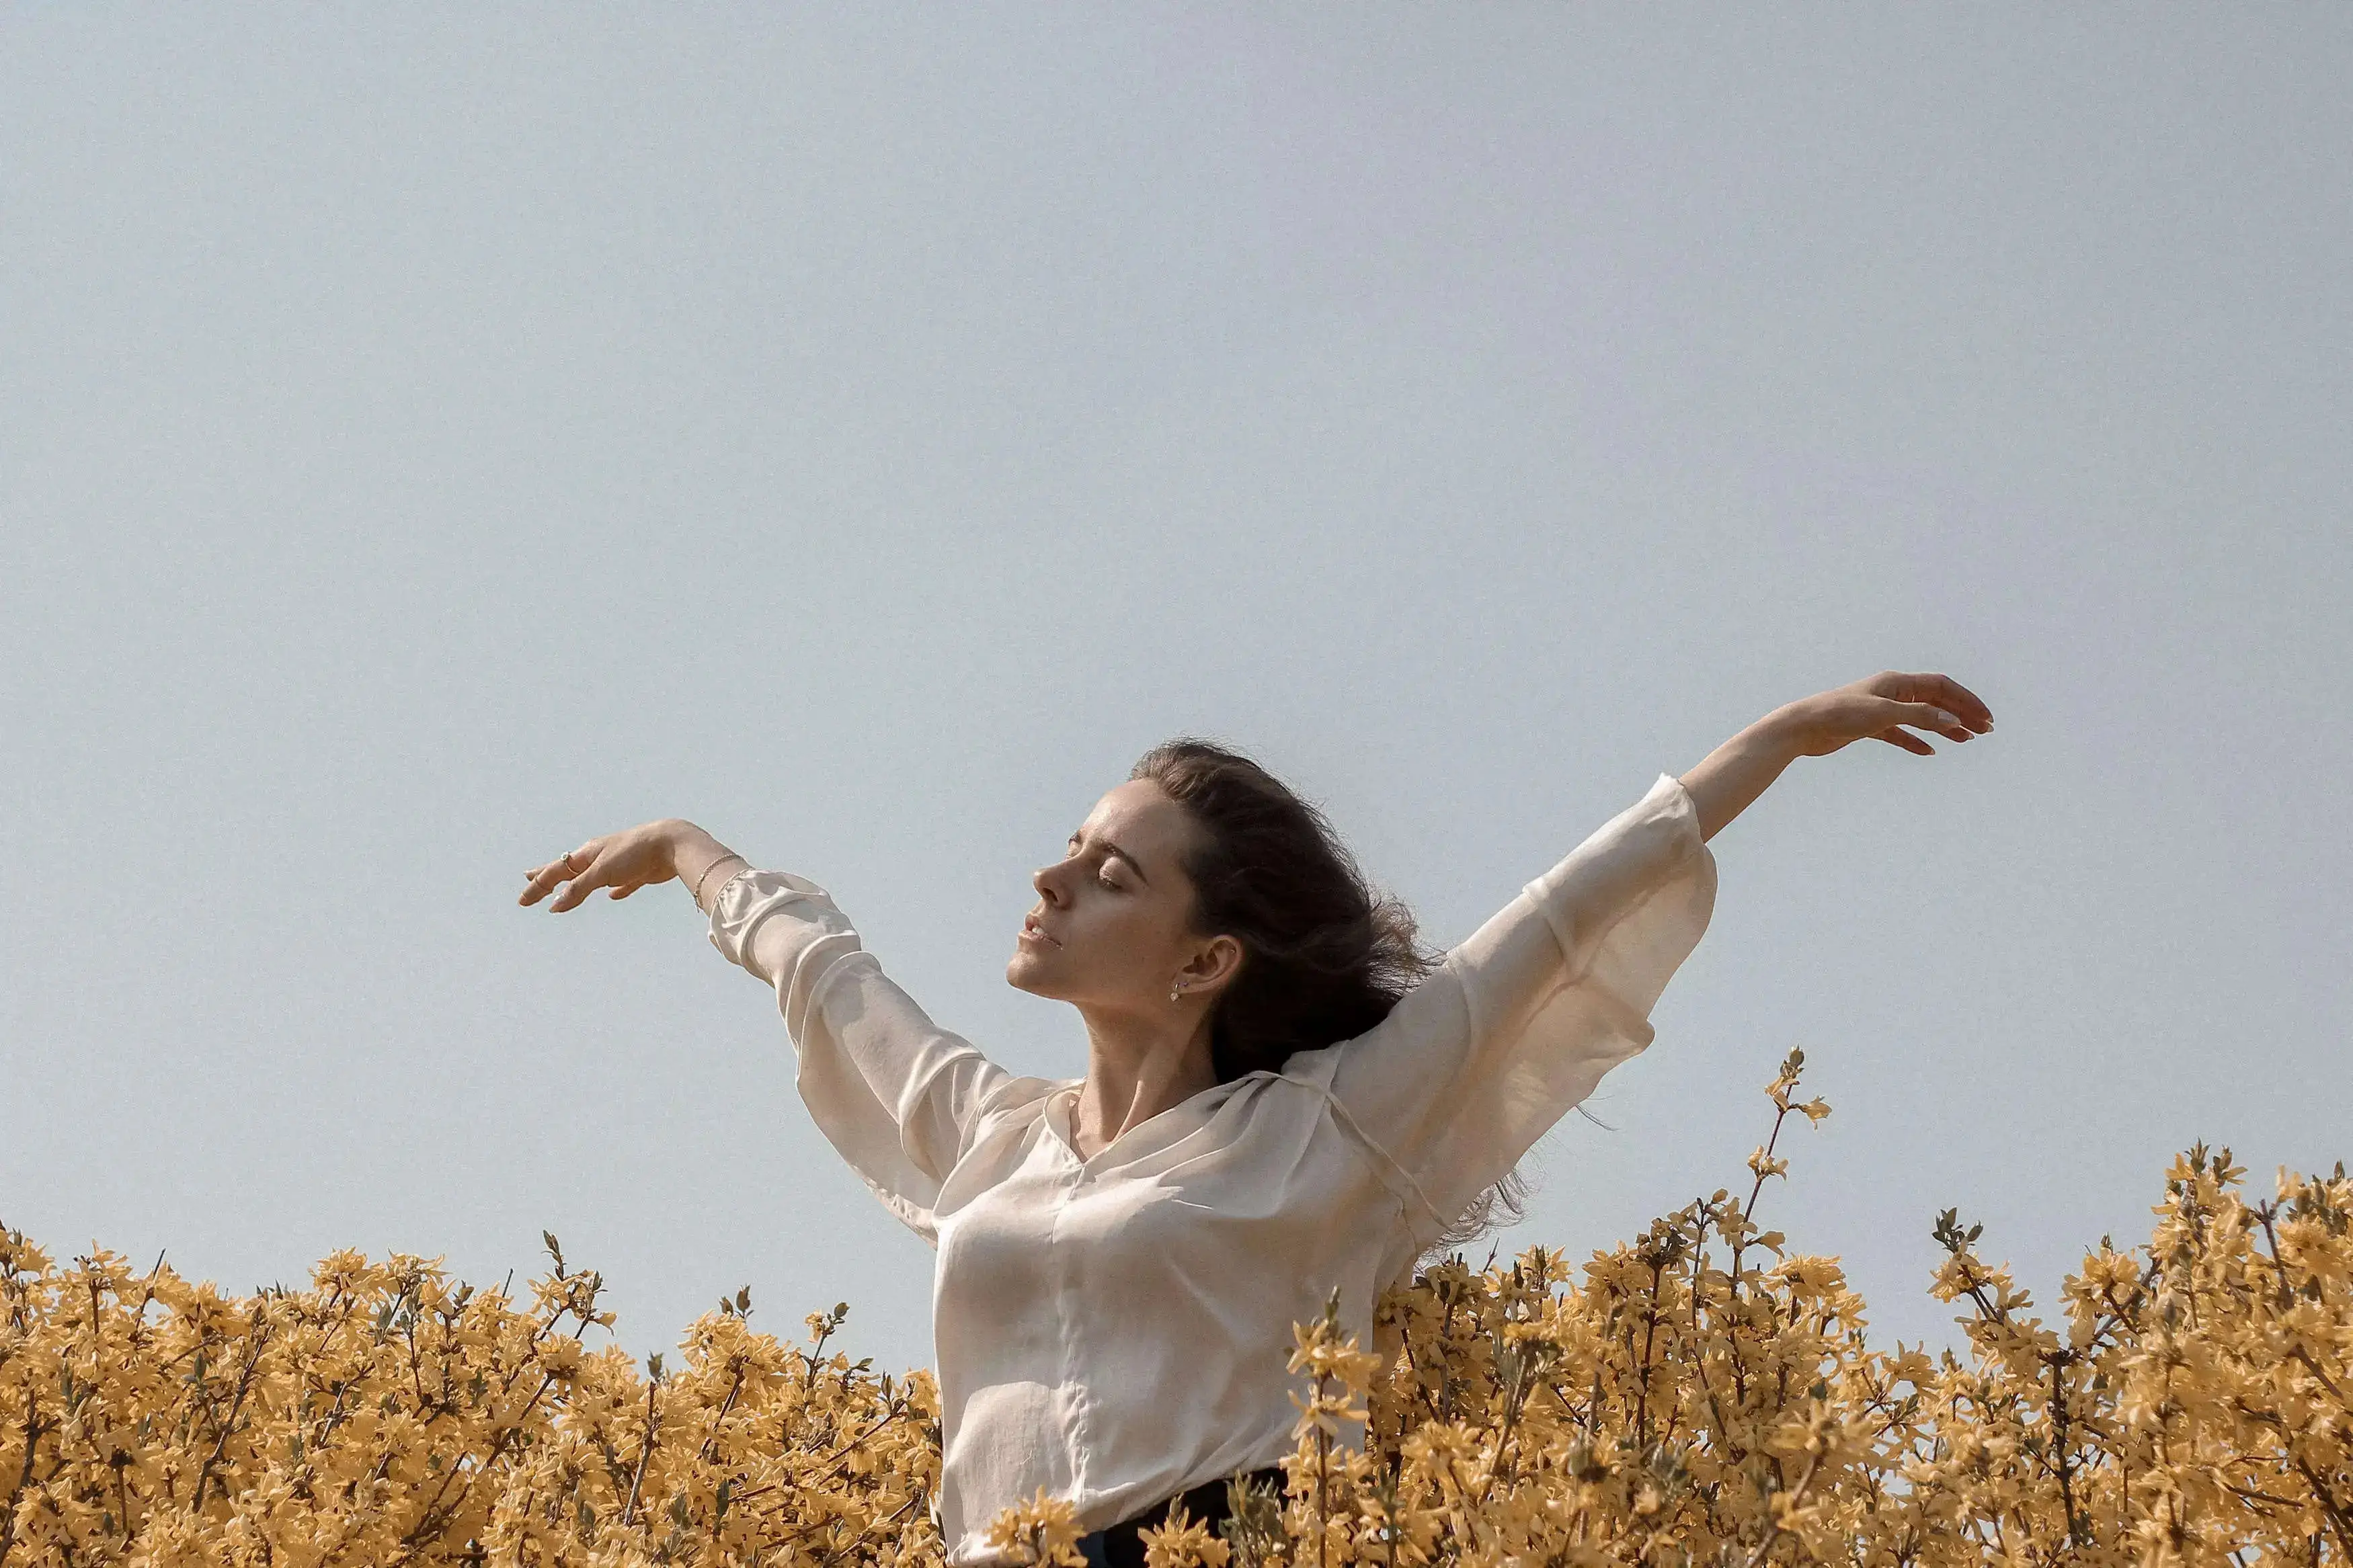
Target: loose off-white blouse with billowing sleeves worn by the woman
1116,1329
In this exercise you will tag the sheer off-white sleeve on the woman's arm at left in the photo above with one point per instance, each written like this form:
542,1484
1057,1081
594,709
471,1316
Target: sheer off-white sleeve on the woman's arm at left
886,1085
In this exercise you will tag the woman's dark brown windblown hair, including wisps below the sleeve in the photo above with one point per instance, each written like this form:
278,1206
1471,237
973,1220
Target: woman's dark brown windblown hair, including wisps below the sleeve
1324,956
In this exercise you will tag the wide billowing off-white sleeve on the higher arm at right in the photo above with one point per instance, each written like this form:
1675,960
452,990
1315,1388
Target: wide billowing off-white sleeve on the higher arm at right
1526,1017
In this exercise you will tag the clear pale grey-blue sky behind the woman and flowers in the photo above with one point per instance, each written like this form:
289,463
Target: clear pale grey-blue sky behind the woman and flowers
432,438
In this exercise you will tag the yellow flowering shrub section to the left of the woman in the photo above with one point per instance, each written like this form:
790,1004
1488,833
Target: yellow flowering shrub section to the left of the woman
387,1416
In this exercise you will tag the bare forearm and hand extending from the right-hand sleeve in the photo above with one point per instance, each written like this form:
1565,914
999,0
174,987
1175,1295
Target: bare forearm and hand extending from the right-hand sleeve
1886,706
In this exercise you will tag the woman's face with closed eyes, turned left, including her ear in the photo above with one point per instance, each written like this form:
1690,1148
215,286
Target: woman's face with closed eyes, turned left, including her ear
1114,918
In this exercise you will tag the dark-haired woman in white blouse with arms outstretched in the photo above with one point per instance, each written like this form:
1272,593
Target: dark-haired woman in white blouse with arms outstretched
1281,1097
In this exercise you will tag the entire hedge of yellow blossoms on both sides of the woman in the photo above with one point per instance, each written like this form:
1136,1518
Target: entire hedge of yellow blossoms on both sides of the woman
1698,1395
